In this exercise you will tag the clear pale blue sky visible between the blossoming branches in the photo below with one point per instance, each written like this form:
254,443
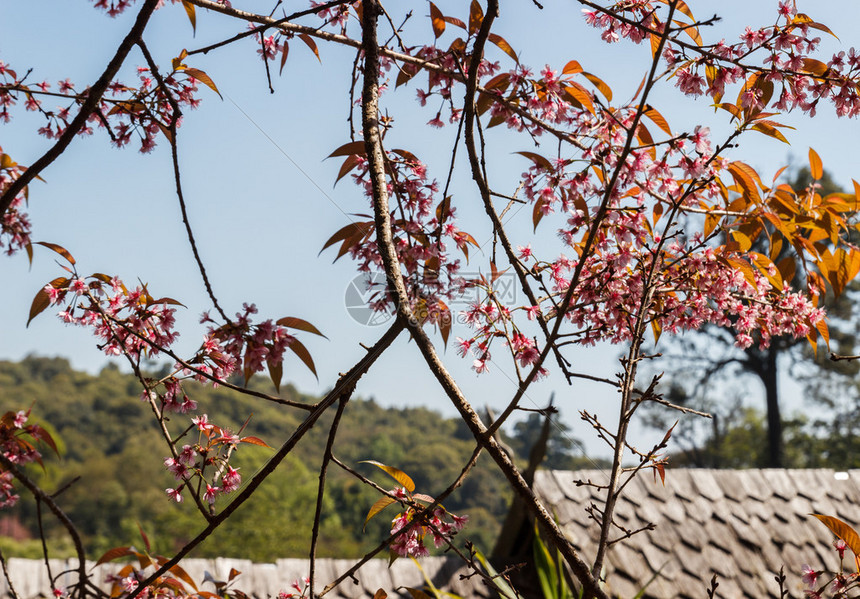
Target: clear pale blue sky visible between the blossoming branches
261,196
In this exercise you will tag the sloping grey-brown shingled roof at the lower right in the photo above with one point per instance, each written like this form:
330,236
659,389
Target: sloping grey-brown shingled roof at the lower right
739,524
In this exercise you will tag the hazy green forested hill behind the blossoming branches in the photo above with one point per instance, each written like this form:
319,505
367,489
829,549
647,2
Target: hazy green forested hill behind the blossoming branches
108,438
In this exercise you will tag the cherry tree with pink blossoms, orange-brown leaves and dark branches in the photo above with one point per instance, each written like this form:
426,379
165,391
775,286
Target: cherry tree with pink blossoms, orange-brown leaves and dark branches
640,230
